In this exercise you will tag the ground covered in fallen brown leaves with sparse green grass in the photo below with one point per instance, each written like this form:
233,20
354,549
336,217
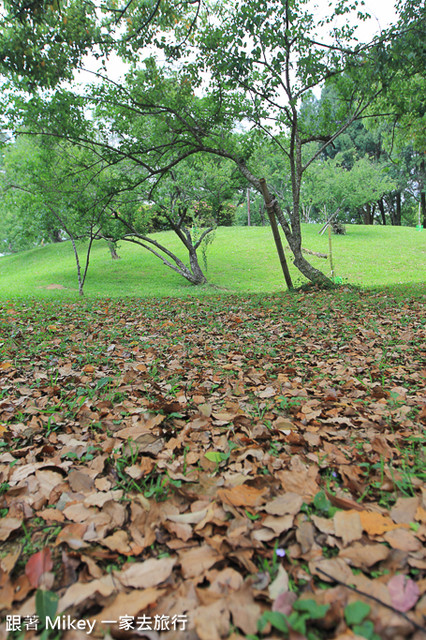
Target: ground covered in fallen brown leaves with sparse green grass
212,458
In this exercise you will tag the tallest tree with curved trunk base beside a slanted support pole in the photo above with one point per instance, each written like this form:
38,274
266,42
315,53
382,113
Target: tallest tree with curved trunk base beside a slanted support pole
271,56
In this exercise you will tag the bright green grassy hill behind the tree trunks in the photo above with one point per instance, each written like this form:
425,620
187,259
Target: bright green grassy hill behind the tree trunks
240,260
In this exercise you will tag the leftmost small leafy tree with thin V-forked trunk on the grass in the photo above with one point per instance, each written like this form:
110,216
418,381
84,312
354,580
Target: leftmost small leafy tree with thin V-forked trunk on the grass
48,185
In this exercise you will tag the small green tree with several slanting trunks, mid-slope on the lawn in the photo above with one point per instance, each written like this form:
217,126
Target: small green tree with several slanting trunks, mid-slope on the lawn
191,199
